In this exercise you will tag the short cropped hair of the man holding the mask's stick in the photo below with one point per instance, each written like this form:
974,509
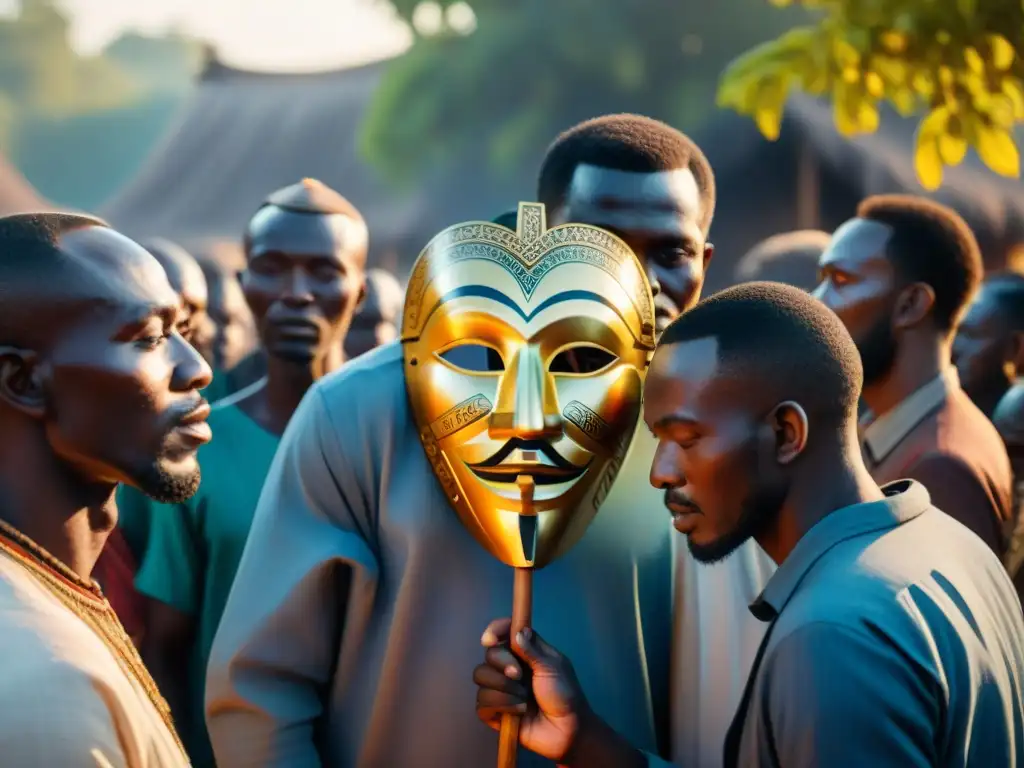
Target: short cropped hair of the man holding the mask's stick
791,345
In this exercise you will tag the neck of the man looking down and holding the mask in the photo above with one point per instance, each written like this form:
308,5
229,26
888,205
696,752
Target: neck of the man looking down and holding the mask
826,483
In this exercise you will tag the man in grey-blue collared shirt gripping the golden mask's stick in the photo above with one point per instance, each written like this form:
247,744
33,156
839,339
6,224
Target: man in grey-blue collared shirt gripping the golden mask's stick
894,637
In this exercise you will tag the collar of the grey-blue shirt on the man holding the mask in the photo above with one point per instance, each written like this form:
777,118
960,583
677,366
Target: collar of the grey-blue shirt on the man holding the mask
905,501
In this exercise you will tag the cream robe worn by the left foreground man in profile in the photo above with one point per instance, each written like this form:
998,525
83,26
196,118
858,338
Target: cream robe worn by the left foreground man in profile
65,701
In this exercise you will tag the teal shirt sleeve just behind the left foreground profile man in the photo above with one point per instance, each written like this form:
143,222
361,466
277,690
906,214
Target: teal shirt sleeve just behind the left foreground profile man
172,571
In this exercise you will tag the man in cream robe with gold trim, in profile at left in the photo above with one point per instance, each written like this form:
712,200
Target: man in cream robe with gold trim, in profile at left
98,388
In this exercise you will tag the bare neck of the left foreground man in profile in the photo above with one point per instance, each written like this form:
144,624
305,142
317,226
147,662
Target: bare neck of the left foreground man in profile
44,499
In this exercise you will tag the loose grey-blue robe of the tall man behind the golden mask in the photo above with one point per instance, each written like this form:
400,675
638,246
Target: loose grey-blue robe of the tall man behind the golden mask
303,675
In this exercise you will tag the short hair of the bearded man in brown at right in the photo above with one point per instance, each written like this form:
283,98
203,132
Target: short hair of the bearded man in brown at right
930,244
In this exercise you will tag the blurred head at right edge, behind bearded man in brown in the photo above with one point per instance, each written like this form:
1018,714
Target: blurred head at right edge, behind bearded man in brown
990,346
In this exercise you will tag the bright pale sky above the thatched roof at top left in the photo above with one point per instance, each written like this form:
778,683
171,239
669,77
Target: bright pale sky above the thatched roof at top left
258,34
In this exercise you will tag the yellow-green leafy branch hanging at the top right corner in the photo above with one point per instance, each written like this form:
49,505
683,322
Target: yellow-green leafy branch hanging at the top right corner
959,64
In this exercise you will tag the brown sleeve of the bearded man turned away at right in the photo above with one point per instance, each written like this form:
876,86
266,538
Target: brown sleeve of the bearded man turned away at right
957,491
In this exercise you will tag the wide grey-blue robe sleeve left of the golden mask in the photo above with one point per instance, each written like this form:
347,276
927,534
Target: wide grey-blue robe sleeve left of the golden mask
307,574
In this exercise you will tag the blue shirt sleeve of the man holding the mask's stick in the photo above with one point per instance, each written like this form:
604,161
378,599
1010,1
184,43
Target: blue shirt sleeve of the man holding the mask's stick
842,698
